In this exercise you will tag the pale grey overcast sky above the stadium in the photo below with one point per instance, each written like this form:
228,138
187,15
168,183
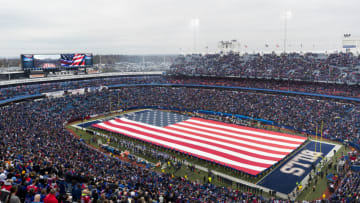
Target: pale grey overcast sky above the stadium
163,26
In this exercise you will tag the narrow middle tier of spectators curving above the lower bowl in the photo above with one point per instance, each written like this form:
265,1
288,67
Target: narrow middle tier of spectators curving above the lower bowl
319,88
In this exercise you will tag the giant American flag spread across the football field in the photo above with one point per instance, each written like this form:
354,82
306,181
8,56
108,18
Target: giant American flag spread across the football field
246,149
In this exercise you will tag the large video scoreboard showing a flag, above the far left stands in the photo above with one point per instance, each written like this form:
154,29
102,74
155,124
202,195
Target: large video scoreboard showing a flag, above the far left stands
55,61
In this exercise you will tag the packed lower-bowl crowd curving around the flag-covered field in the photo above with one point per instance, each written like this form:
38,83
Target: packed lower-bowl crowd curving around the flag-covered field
39,156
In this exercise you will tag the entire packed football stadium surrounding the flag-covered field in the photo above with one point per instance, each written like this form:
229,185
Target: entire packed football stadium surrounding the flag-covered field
224,126
